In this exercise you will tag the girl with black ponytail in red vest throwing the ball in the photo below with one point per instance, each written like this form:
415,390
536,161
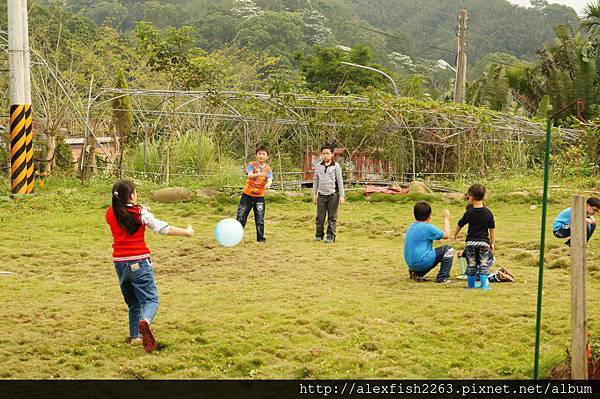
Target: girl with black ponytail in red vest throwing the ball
131,256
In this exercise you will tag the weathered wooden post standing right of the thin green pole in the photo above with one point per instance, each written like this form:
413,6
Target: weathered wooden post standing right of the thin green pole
578,295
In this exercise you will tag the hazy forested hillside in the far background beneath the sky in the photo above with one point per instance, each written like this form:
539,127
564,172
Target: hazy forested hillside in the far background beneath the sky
424,28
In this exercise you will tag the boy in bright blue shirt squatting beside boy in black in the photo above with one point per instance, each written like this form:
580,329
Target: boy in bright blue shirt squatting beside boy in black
419,254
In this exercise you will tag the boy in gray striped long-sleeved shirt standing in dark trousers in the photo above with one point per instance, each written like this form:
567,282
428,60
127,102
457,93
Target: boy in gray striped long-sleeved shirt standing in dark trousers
328,193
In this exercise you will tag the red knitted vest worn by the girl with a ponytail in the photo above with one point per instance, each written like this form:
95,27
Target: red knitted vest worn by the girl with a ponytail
127,247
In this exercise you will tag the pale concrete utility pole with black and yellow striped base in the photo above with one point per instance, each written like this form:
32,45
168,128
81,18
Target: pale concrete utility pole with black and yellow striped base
20,97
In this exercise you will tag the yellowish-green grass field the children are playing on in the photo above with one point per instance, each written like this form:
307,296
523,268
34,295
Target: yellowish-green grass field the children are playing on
290,308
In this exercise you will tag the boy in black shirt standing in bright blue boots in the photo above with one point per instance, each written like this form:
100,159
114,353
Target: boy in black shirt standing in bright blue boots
480,237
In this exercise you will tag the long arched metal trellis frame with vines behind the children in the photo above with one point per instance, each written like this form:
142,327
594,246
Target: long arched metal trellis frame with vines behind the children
382,139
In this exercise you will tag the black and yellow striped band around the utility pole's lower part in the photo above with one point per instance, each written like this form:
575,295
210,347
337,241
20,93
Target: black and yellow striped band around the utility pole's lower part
18,150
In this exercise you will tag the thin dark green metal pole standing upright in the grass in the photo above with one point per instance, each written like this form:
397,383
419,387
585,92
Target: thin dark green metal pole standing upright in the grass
538,320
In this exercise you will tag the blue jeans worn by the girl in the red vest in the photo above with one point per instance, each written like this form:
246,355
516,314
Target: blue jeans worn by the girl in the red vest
136,279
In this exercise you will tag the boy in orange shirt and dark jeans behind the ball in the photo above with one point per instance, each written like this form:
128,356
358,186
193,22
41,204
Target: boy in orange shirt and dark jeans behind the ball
260,178
